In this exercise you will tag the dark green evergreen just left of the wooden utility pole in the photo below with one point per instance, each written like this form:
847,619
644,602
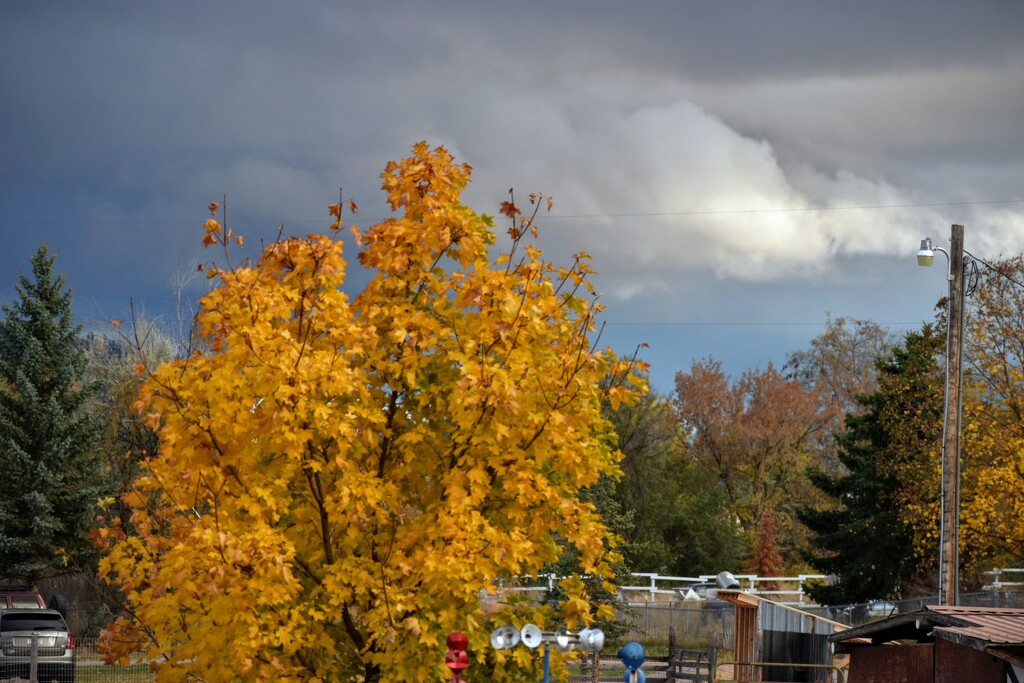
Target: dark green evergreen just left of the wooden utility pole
864,540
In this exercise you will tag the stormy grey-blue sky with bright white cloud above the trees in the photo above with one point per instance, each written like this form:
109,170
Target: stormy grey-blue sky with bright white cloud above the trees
739,172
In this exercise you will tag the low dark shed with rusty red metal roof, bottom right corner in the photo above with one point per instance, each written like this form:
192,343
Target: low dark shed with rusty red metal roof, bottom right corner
937,645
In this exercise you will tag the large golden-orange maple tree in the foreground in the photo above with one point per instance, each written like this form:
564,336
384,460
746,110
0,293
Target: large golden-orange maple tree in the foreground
340,481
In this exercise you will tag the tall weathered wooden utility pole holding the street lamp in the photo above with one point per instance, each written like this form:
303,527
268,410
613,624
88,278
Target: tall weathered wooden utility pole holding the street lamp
950,531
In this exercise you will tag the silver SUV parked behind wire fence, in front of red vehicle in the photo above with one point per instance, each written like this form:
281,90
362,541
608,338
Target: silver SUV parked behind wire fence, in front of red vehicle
40,636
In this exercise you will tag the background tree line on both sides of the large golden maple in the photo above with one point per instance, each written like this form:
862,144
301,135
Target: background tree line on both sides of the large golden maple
829,464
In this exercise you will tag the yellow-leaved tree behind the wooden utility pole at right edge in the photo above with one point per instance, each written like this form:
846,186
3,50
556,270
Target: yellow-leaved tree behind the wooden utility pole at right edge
992,455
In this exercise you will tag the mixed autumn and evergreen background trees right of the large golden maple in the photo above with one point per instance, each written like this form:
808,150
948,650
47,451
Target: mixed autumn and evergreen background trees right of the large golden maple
832,464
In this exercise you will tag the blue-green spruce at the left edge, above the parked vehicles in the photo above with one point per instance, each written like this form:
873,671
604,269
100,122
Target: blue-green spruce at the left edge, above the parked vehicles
50,471
